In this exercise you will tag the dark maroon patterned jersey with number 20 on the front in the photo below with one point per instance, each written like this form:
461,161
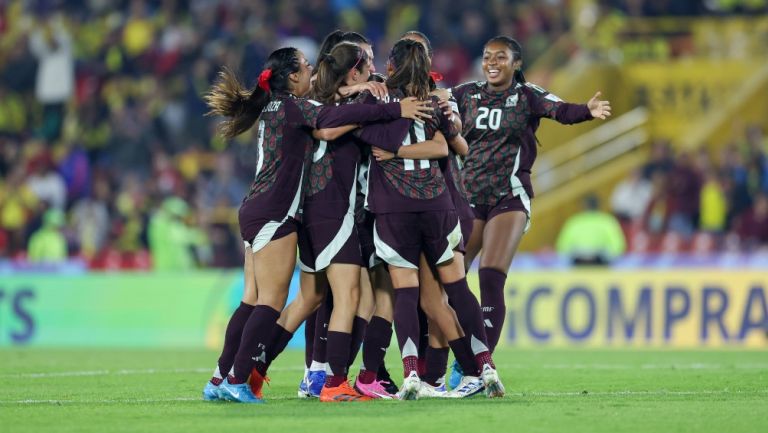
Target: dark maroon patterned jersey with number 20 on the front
500,129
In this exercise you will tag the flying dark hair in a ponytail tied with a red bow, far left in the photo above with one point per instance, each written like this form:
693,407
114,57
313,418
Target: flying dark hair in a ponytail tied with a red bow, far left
229,98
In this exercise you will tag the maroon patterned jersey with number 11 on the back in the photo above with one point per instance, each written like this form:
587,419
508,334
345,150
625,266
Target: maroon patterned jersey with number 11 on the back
405,185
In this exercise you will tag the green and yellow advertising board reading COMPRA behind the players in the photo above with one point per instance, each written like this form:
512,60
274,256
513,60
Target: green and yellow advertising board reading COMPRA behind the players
581,308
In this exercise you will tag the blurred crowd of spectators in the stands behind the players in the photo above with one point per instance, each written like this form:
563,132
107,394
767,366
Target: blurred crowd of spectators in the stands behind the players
105,153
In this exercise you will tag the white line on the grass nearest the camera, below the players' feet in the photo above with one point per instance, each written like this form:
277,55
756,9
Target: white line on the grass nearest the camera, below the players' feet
657,393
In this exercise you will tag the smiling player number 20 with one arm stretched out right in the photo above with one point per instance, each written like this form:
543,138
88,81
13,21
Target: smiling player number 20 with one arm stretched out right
500,118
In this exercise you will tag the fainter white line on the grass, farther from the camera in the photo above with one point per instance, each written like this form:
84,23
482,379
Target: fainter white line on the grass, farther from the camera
501,367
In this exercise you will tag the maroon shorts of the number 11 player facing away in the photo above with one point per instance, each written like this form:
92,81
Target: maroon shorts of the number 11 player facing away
400,238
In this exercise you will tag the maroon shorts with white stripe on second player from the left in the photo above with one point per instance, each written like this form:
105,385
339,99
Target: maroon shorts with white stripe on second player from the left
326,242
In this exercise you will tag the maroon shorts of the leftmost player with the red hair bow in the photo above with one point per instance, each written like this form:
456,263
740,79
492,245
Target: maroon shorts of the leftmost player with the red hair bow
257,231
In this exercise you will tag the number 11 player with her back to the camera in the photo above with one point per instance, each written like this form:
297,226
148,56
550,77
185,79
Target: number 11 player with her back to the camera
415,214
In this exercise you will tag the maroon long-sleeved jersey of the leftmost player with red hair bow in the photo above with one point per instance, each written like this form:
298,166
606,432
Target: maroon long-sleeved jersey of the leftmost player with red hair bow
285,145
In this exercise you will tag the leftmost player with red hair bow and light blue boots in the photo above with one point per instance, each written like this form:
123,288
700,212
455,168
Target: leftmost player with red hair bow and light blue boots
267,215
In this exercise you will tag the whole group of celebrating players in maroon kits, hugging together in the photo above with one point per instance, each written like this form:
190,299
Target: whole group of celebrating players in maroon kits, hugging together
389,187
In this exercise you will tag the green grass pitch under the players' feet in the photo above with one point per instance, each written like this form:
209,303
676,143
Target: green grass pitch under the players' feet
547,391
